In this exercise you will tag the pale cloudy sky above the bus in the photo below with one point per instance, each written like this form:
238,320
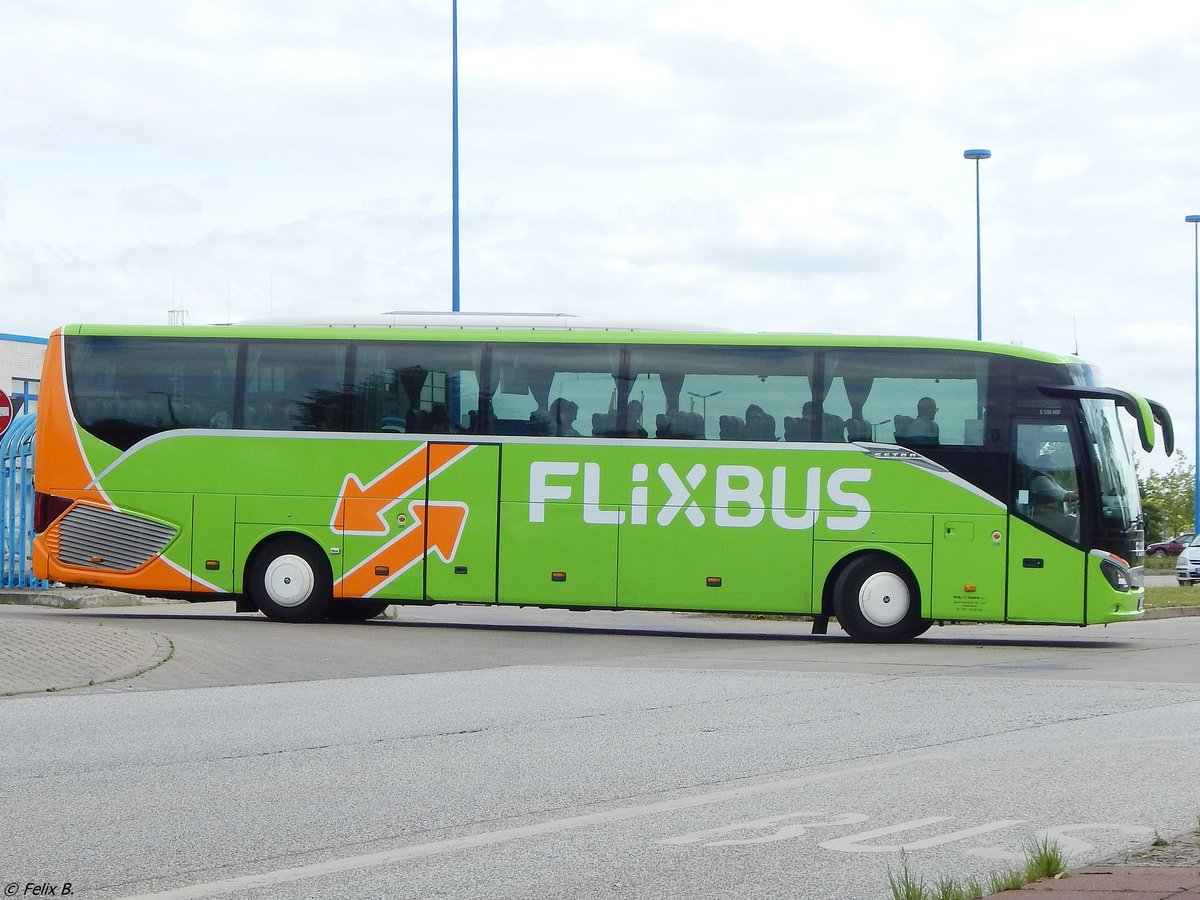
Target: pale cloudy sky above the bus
760,165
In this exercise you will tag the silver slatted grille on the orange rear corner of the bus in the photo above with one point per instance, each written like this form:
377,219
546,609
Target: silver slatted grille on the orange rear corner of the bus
97,538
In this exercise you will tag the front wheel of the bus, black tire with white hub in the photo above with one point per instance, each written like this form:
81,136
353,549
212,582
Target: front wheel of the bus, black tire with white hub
877,599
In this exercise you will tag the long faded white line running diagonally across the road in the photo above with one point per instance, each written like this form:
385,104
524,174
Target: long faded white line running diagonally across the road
484,839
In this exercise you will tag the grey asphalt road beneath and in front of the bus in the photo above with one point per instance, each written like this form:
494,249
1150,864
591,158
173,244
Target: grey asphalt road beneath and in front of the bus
467,753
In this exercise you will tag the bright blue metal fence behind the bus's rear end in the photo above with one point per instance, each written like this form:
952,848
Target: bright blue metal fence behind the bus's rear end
17,506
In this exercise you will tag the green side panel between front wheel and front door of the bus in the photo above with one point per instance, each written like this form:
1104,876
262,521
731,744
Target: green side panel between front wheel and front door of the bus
969,568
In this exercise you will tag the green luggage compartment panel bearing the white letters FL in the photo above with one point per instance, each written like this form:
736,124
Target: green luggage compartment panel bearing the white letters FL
556,549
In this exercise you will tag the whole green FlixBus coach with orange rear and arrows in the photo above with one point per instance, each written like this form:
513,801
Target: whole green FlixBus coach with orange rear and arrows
327,471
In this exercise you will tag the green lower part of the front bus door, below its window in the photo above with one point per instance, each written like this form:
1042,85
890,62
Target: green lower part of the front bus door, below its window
1046,577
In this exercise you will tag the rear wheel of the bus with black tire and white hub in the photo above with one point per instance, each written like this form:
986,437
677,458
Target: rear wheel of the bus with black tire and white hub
290,580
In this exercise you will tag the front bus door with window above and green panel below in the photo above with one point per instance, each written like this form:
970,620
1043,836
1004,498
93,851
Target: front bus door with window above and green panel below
1046,566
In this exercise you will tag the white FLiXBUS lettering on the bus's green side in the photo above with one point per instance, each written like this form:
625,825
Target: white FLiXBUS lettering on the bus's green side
735,496
